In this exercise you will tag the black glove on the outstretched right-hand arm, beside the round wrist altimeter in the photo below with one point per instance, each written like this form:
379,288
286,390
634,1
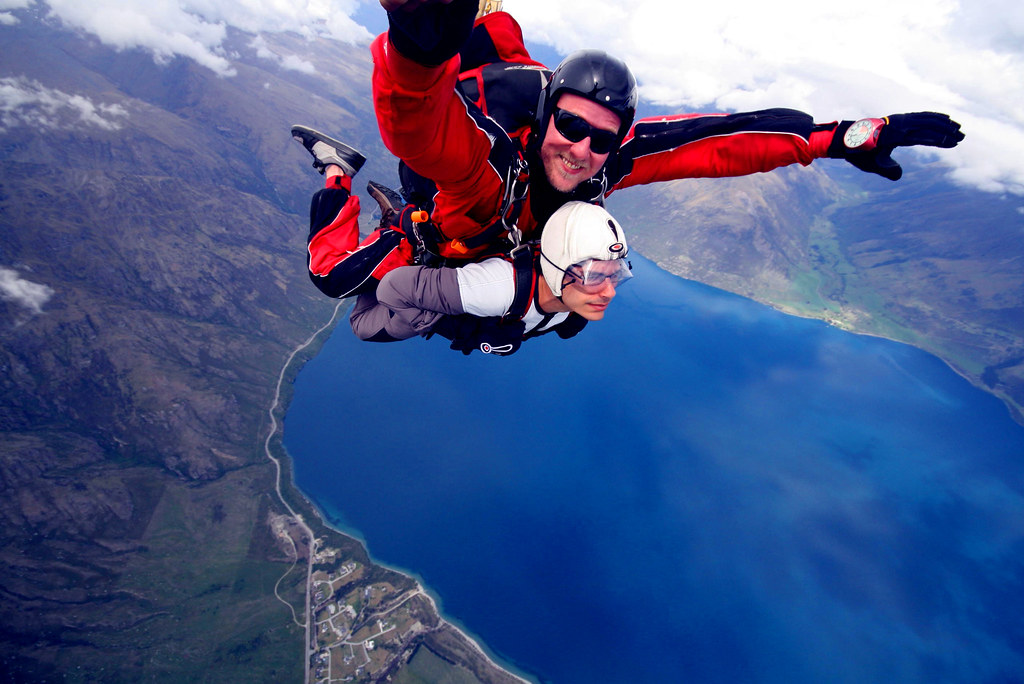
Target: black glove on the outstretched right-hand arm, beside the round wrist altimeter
901,131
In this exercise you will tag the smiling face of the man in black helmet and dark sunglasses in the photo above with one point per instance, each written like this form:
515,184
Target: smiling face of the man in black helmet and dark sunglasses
568,164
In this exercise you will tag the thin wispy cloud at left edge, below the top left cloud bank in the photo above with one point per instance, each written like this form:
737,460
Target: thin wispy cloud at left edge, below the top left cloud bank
27,103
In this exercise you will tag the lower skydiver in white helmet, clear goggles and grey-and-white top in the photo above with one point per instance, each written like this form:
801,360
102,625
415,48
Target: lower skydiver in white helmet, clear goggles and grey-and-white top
572,280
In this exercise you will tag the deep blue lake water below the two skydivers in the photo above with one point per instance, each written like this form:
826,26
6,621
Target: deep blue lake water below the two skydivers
698,489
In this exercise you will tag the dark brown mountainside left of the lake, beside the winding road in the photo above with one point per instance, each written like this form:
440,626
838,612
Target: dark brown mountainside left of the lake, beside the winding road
152,254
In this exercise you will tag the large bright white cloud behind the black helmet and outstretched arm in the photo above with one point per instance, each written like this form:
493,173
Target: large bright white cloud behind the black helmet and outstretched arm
835,61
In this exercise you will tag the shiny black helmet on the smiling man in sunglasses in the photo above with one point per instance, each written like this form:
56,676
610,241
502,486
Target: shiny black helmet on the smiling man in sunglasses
596,76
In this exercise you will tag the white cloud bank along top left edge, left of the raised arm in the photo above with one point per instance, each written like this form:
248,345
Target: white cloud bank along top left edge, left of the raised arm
197,29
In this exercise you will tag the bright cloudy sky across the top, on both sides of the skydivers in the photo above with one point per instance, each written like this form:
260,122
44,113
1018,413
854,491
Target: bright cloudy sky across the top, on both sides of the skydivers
835,61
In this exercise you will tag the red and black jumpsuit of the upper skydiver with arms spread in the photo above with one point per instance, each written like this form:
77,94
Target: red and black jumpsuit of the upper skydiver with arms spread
428,120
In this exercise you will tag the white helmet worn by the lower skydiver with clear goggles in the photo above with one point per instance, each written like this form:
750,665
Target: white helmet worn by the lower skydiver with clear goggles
576,235
